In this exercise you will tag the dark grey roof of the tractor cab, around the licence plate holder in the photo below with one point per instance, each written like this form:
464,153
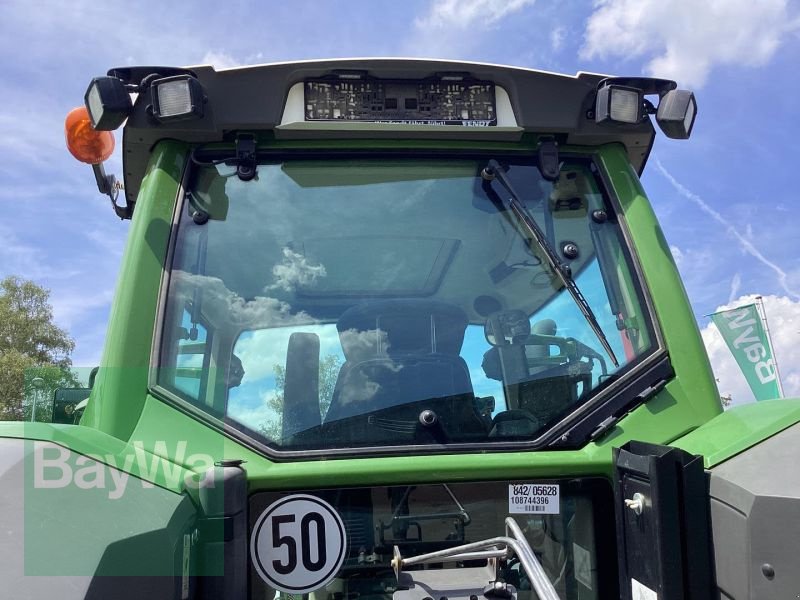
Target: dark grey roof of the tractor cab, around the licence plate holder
258,98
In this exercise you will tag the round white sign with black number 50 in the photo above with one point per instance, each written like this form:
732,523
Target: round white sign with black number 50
298,544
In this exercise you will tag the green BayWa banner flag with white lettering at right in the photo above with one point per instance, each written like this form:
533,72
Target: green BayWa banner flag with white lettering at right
742,330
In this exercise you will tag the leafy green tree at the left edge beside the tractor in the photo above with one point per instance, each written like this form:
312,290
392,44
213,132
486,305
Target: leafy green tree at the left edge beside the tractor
34,351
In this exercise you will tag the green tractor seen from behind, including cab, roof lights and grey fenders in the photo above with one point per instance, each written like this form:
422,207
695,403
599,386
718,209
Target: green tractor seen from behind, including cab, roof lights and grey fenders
396,329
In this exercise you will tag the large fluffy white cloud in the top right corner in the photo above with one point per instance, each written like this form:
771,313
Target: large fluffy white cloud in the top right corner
686,40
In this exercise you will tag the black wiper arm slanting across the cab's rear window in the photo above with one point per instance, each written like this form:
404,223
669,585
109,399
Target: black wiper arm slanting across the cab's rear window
493,171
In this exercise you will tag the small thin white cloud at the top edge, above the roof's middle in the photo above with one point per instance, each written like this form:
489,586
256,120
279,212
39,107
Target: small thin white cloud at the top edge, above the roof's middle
463,14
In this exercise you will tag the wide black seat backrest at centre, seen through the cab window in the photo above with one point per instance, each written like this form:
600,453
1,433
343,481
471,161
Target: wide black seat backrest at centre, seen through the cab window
399,352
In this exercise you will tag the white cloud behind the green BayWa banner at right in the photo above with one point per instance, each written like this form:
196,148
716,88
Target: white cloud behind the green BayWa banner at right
783,316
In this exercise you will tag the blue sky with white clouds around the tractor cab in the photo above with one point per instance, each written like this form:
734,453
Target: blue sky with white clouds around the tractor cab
727,198
